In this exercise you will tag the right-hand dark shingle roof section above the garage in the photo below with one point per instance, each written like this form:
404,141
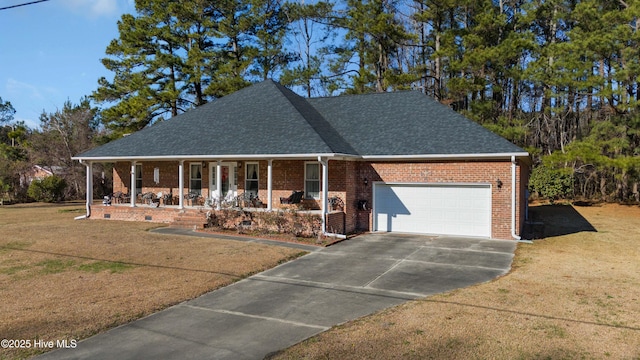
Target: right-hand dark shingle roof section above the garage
407,123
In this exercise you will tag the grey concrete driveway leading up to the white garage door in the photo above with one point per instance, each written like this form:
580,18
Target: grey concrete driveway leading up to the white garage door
287,304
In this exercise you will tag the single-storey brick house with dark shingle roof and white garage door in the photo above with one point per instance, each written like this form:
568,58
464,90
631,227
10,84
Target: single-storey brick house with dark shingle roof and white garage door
397,161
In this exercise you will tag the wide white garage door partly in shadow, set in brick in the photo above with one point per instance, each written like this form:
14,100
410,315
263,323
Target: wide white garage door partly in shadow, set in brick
433,209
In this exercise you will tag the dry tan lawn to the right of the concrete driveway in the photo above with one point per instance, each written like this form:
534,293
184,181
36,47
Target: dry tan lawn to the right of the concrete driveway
573,295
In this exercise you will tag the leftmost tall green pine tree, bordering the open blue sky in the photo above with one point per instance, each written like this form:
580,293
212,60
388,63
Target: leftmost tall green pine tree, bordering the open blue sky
146,62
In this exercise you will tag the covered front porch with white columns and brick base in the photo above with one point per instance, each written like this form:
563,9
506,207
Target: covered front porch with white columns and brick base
188,191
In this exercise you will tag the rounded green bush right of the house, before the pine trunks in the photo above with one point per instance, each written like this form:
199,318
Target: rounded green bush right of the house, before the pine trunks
551,183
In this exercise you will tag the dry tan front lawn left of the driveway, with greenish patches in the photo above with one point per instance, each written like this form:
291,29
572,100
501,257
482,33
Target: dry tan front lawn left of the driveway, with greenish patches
84,277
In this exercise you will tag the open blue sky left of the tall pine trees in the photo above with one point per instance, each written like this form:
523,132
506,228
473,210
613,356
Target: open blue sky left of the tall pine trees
50,52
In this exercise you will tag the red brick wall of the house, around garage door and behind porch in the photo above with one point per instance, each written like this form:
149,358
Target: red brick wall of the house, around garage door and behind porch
352,181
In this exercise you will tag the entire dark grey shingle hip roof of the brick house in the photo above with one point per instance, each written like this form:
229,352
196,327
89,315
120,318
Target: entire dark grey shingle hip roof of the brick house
268,119
